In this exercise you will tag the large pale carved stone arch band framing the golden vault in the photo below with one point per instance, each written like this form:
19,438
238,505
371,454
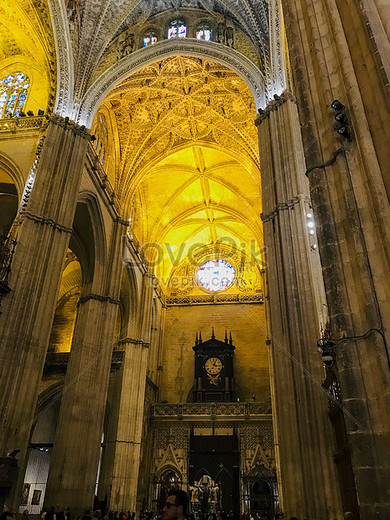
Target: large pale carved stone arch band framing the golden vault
252,76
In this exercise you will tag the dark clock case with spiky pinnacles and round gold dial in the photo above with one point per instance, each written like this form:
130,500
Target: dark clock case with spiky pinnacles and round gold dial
213,369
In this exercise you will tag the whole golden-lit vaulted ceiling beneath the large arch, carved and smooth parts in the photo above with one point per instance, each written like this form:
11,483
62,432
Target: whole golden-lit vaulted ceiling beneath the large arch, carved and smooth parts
188,170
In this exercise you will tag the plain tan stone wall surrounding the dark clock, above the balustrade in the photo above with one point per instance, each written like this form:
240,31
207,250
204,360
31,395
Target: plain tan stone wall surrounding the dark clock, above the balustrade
247,324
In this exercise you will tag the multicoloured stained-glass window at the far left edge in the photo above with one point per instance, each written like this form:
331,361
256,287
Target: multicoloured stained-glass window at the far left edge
13,94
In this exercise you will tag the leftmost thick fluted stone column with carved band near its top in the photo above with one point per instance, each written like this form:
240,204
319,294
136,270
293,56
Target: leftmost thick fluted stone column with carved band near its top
42,230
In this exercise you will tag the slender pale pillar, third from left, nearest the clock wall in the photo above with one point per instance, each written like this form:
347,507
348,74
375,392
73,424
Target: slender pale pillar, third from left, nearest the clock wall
127,441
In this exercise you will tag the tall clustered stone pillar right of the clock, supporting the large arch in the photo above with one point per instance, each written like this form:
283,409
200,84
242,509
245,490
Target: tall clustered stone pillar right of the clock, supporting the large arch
306,473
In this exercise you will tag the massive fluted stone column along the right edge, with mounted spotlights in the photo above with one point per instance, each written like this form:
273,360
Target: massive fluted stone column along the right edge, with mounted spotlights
333,56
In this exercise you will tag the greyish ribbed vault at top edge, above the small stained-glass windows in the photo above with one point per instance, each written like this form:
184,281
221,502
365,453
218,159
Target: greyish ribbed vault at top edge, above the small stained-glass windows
93,24
